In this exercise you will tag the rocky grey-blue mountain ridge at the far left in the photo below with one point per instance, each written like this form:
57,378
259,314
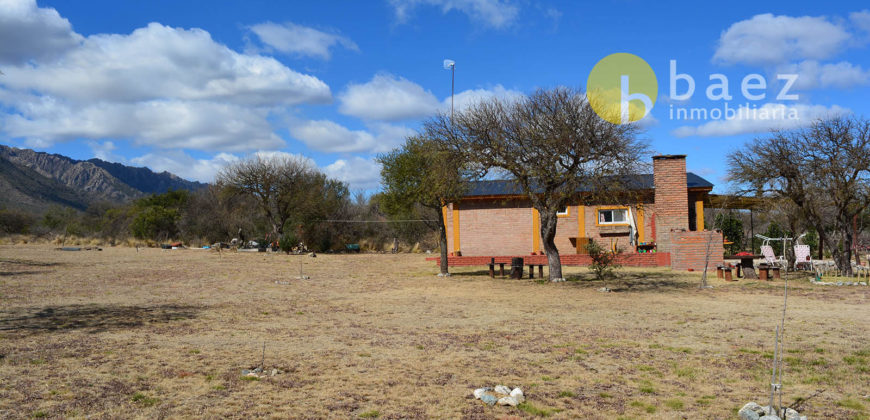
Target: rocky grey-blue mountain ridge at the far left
34,181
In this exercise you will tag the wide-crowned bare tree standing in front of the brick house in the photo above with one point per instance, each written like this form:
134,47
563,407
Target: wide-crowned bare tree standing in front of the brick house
552,143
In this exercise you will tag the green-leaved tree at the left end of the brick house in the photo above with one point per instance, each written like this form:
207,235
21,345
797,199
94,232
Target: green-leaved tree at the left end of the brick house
419,178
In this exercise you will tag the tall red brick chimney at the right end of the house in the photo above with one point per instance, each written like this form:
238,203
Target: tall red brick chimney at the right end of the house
671,198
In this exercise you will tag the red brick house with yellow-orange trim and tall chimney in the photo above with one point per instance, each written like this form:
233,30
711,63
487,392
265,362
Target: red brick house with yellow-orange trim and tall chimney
665,227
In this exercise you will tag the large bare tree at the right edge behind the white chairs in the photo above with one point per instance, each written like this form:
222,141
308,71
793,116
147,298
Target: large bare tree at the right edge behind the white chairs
823,169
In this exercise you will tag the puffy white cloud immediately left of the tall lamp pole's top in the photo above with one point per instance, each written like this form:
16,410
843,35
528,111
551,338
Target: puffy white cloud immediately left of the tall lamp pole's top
388,98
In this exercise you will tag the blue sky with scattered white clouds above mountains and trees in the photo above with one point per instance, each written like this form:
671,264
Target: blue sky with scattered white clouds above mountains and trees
188,87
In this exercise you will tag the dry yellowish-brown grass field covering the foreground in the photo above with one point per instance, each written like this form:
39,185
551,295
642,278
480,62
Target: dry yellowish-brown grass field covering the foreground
165,334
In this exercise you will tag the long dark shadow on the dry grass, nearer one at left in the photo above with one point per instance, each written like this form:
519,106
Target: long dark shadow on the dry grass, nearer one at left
96,318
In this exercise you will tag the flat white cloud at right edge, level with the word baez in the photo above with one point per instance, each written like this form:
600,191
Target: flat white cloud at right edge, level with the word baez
812,74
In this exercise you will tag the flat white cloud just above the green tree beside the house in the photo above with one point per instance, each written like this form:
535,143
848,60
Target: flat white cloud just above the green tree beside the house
328,136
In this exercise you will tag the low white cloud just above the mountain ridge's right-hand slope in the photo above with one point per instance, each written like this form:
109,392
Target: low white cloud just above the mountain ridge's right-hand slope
184,165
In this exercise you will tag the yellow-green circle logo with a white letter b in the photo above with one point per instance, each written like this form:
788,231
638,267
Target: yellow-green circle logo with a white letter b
622,88
